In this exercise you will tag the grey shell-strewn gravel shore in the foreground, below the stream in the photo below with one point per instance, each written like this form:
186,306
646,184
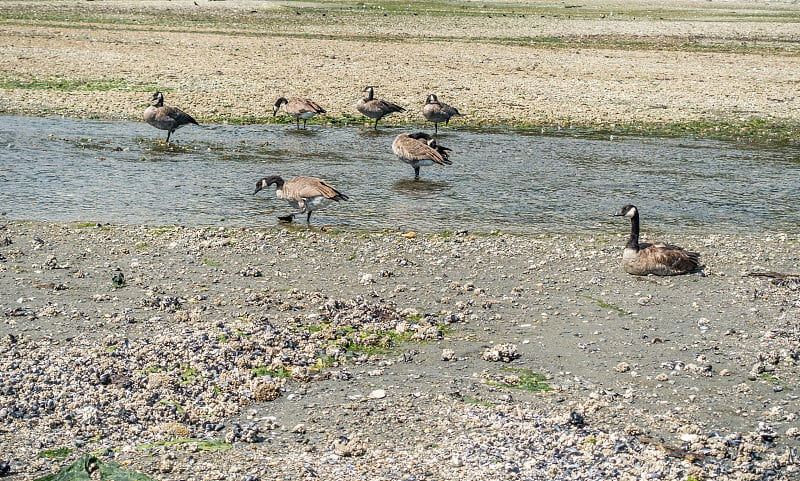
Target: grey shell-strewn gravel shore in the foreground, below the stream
692,374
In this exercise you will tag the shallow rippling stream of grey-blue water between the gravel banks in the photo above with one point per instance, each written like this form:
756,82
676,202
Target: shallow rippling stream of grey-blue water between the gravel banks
59,169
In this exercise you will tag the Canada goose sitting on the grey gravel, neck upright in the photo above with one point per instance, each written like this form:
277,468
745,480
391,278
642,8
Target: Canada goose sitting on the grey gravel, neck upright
658,258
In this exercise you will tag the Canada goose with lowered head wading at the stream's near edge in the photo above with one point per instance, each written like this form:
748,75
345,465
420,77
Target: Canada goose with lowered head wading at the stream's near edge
305,193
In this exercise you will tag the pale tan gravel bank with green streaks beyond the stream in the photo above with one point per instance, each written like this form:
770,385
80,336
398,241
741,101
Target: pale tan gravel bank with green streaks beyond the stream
705,68
